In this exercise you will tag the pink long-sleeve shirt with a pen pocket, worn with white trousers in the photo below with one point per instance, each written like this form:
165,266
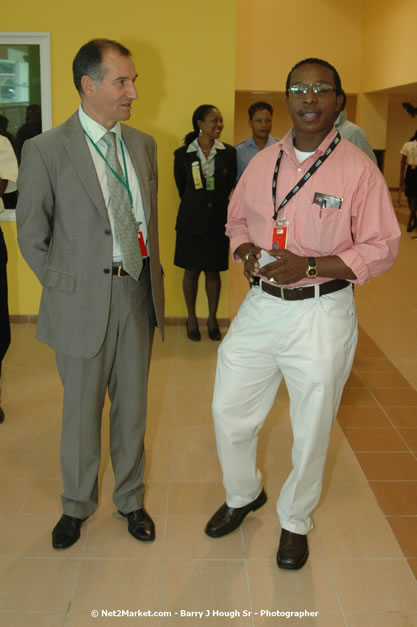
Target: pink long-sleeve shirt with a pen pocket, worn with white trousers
363,232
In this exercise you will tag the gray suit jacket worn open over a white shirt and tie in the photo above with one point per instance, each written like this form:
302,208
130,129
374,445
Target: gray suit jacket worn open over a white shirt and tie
64,234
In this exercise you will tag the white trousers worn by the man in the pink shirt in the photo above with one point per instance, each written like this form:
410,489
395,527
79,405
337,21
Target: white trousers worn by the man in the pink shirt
311,343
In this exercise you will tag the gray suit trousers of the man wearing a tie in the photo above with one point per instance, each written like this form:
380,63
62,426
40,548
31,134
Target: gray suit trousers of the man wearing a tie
122,366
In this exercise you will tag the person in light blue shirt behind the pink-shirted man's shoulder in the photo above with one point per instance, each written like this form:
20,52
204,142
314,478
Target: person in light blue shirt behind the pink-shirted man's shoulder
260,121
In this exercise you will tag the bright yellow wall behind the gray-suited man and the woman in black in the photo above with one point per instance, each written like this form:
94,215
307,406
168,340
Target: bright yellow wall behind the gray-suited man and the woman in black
185,55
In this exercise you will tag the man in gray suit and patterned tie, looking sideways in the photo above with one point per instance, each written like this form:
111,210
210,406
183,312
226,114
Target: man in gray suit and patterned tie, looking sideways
87,226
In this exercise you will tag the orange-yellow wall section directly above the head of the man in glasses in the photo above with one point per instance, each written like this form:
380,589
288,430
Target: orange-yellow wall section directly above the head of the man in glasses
272,35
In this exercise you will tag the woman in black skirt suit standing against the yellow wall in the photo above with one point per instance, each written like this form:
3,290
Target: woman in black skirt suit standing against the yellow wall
205,173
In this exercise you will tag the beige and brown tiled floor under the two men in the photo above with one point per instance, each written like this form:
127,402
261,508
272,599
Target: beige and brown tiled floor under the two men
363,547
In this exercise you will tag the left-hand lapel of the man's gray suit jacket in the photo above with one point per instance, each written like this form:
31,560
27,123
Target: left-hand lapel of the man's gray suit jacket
79,153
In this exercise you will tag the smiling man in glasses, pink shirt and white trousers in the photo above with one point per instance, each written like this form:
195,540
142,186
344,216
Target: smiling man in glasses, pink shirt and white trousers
323,212
